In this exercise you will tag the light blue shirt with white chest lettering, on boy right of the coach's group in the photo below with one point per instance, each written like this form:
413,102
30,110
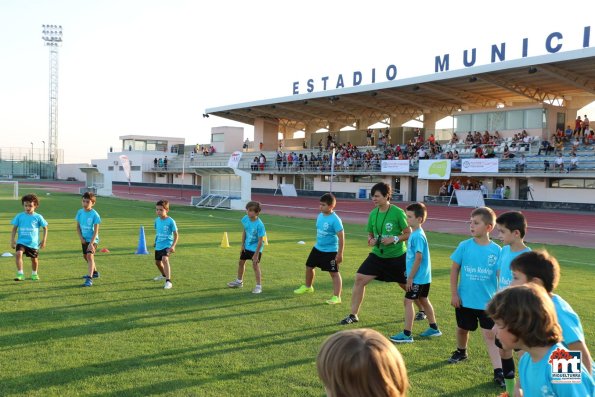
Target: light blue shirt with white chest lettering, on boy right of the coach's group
478,281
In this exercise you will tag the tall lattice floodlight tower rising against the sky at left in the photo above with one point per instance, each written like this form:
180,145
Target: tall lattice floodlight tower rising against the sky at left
52,35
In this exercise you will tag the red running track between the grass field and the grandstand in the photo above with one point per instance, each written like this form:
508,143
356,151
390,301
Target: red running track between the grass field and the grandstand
549,227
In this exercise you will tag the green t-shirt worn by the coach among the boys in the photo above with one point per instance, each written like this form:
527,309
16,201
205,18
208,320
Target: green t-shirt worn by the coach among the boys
388,224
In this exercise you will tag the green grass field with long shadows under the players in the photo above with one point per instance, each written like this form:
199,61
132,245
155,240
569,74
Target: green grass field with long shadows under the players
126,336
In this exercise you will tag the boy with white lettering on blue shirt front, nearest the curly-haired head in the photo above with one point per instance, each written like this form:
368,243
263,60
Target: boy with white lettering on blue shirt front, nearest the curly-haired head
473,282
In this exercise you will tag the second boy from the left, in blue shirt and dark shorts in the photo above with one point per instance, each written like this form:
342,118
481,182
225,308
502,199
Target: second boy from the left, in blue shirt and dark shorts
87,228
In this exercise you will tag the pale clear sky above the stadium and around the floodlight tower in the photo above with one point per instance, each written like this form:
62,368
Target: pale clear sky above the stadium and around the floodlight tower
151,67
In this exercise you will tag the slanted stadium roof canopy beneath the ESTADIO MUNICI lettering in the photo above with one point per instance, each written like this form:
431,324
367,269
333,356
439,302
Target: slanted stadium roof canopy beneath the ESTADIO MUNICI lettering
564,79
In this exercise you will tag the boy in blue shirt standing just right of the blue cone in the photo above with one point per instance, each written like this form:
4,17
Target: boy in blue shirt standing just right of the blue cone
166,238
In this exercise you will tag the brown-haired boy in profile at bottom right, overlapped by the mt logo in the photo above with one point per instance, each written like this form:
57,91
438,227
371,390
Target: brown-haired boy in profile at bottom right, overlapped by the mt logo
525,319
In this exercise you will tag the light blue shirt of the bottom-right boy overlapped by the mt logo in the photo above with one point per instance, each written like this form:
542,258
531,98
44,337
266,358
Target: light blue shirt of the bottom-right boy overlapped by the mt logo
536,379
